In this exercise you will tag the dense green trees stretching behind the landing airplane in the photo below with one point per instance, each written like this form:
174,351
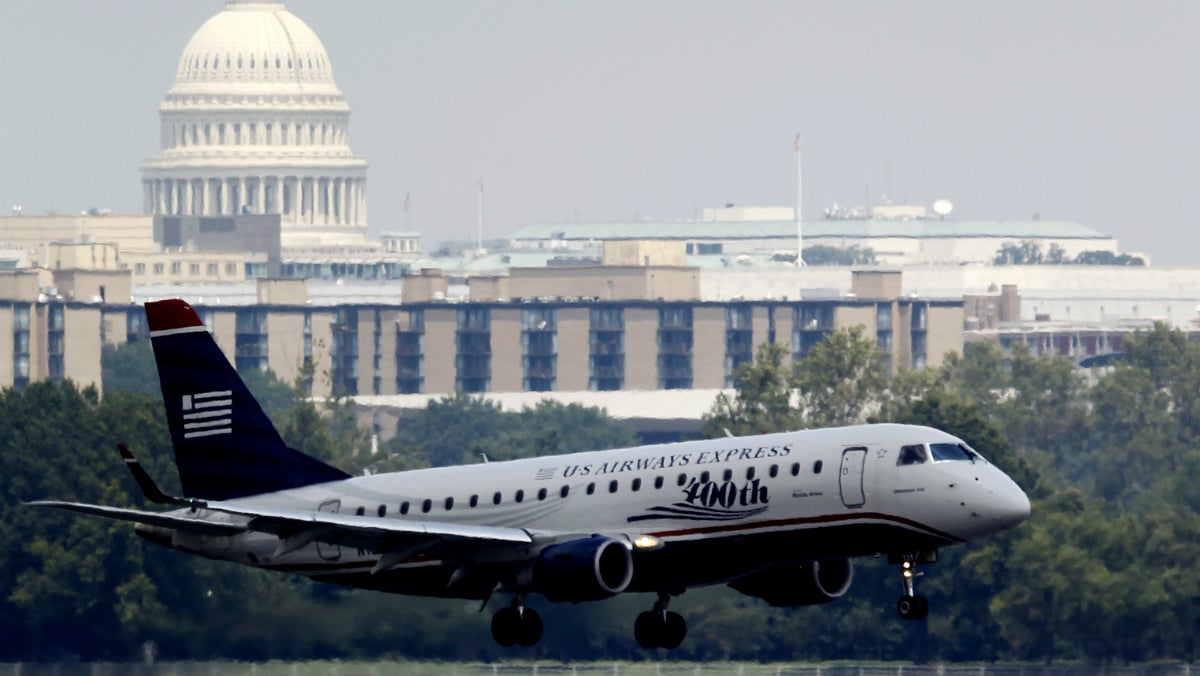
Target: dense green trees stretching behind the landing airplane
1106,571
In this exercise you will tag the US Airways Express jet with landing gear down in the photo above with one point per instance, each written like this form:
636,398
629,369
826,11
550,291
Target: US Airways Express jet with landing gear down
777,517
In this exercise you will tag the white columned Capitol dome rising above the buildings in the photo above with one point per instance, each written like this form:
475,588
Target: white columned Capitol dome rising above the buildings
255,124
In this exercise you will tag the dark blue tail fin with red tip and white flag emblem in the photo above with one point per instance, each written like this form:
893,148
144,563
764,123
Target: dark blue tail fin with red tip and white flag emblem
225,446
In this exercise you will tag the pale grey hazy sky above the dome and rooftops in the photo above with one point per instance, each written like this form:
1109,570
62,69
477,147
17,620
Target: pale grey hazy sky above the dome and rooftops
1083,111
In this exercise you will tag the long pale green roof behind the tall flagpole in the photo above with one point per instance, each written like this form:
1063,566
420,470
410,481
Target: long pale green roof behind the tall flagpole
821,229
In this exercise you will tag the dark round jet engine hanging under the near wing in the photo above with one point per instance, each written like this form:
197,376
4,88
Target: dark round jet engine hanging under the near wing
586,570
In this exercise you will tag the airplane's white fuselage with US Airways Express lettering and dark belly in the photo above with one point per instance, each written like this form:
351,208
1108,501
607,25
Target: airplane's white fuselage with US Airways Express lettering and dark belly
794,496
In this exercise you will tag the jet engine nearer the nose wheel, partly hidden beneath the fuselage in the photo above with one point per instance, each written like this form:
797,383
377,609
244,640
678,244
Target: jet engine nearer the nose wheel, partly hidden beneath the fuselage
808,584
